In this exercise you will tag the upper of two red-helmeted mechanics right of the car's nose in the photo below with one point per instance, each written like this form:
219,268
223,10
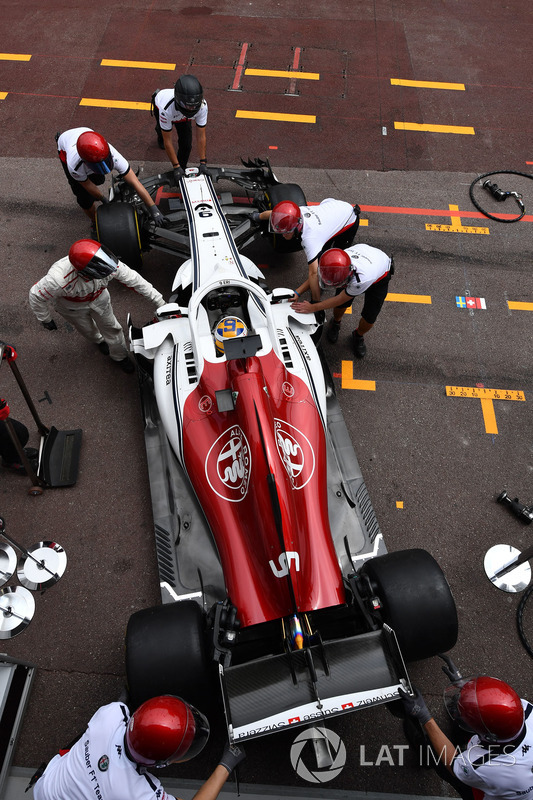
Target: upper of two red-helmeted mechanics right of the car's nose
332,223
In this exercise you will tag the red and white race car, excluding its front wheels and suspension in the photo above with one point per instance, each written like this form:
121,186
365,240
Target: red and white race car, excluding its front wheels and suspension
278,593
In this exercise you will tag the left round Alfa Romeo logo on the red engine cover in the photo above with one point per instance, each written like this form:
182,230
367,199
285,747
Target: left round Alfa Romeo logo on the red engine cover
227,466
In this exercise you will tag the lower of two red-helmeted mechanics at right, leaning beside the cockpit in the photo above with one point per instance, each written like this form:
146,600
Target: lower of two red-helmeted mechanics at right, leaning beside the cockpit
360,269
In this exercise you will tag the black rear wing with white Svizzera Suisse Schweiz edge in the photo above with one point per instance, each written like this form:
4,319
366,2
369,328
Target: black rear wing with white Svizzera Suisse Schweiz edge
308,686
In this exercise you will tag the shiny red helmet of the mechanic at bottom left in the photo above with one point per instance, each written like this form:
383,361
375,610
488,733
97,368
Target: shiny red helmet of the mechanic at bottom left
166,730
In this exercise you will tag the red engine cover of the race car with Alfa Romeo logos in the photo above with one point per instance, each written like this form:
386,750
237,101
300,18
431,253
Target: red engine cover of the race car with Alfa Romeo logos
274,434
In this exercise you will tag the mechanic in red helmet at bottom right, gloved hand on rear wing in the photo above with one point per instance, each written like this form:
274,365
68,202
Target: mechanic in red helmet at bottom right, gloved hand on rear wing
497,763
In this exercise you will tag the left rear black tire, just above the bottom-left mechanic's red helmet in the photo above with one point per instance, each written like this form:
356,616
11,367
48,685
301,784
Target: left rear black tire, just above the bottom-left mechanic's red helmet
166,654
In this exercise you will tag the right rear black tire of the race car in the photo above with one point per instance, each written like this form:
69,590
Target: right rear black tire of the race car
416,602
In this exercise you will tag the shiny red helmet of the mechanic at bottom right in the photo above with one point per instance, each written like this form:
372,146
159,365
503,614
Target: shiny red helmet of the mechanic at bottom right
486,706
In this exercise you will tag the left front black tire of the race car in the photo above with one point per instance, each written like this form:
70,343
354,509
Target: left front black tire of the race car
117,227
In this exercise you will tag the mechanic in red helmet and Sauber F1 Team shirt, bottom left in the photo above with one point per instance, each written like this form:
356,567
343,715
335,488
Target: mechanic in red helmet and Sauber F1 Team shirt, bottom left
111,758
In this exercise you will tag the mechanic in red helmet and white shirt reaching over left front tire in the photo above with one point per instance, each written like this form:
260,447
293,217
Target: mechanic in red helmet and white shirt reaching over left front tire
87,158
